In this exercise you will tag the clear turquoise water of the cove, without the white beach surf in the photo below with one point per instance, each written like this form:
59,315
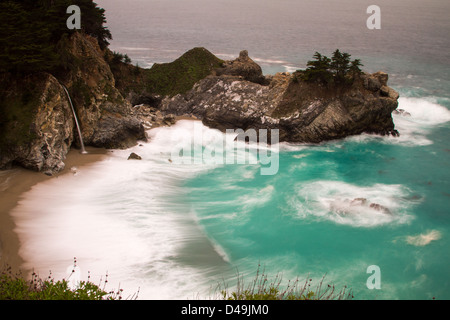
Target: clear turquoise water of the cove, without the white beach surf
285,222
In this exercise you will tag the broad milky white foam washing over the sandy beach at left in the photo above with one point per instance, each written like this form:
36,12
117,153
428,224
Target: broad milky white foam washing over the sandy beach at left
123,217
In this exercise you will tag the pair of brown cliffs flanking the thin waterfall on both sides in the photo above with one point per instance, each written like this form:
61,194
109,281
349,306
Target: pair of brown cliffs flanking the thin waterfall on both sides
37,125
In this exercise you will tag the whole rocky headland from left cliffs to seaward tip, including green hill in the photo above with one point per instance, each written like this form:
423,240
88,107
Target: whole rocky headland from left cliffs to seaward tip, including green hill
116,102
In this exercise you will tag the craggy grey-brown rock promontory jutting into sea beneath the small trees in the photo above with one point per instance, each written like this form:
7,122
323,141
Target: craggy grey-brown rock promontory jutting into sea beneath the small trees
303,112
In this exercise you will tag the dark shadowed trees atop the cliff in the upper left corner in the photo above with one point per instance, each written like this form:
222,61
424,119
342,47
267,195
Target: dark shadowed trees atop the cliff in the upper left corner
31,32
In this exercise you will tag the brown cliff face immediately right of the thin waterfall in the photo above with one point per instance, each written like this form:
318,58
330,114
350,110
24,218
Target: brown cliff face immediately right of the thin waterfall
104,115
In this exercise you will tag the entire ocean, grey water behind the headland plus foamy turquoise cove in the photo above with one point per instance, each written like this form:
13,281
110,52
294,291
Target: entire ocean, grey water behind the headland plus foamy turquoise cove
177,231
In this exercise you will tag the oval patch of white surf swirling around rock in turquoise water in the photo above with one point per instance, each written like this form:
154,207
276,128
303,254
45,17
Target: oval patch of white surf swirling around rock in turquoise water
348,204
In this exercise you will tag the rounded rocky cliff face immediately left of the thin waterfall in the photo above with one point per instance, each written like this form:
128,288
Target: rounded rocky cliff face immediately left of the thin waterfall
41,138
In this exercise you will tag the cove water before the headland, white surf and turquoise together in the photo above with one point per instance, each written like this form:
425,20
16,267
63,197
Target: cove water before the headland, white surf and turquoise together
179,230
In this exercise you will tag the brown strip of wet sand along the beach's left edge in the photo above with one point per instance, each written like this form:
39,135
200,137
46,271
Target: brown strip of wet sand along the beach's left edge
14,184
